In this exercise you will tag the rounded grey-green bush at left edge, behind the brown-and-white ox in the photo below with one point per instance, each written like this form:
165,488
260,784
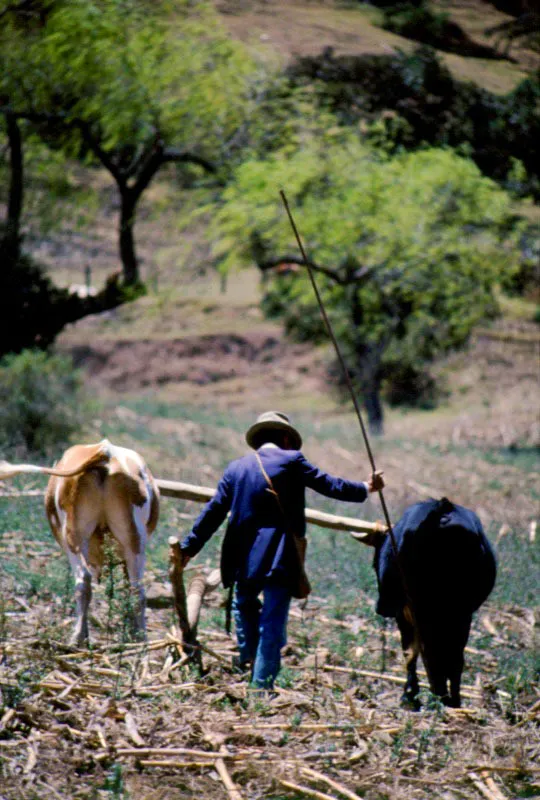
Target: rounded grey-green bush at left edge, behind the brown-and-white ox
40,402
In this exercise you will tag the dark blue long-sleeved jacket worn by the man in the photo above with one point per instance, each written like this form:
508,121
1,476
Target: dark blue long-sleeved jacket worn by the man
256,546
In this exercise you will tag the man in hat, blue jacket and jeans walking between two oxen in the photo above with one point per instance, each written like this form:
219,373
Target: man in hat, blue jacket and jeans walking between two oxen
265,495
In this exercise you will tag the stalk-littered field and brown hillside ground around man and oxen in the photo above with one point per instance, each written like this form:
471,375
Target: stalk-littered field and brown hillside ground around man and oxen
179,375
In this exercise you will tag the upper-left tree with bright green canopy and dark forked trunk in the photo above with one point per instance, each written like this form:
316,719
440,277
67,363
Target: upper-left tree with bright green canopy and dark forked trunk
130,85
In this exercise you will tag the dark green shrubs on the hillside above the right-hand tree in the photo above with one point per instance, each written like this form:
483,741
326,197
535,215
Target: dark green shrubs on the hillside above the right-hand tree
437,108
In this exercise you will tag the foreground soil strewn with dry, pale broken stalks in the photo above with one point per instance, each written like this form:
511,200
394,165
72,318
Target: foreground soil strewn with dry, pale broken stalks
131,721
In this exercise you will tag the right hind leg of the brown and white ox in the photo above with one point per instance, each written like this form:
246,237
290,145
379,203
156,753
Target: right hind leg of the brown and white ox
127,523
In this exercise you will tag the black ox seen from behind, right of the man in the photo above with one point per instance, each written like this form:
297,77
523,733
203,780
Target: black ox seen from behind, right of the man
449,570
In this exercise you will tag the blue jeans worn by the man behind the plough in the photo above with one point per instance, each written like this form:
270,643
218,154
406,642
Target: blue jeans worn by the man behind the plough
261,629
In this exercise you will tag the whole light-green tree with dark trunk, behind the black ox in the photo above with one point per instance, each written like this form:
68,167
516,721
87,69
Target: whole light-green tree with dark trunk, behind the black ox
406,250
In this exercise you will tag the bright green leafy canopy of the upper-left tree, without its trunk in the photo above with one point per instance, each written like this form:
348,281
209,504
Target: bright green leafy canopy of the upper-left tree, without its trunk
135,69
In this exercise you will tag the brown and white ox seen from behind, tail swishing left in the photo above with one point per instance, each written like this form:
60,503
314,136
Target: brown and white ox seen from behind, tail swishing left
95,489
